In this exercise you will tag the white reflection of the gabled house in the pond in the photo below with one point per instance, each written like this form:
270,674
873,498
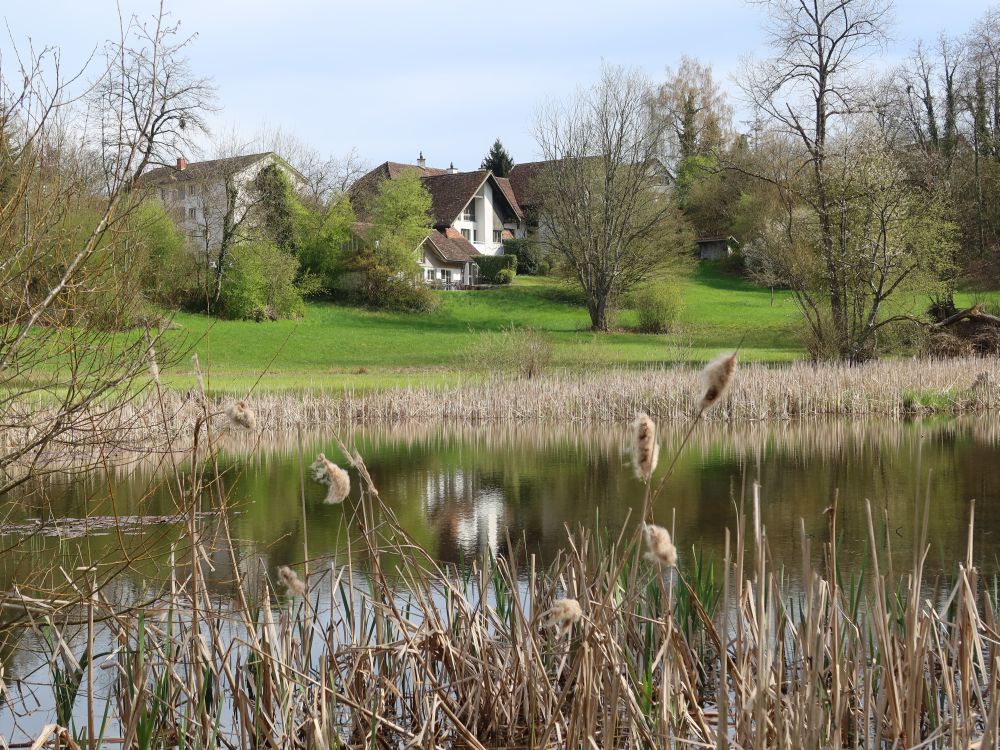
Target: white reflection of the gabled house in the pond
467,513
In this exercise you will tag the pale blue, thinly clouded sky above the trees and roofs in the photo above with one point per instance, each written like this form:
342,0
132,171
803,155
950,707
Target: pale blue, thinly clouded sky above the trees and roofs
393,77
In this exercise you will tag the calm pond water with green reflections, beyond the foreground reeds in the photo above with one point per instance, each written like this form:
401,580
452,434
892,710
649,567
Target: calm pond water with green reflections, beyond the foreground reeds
460,490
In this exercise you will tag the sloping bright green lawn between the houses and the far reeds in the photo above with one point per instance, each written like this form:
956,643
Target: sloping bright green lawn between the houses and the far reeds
336,346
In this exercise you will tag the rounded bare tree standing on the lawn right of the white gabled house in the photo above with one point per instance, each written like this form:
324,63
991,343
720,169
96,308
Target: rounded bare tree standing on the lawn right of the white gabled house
603,208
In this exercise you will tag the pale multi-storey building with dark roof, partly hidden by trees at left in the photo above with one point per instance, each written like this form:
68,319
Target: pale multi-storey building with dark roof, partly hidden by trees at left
201,194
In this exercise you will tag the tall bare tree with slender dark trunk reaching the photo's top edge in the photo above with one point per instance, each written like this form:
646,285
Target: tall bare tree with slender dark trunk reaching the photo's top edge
810,90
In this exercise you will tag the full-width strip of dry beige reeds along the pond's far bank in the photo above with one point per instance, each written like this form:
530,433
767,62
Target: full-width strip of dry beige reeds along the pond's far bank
887,389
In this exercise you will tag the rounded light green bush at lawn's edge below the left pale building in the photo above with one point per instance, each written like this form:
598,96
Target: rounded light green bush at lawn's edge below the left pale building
259,284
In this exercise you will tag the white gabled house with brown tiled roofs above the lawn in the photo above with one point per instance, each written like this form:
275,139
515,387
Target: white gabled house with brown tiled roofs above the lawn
472,214
